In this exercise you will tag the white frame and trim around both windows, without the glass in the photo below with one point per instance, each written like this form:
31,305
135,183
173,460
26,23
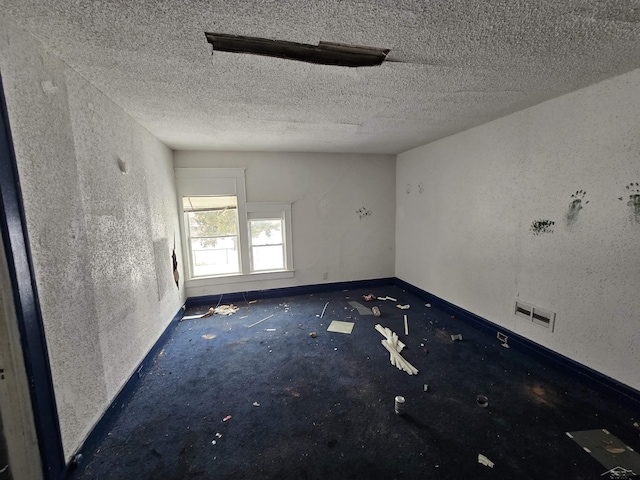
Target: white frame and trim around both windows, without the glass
231,181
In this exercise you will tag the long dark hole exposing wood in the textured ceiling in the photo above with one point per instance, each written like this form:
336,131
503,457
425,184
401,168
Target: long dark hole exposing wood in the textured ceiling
325,53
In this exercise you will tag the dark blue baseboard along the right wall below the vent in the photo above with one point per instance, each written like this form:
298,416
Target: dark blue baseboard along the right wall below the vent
607,385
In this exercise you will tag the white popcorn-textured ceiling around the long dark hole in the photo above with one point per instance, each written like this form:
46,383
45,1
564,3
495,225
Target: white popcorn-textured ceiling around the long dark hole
453,65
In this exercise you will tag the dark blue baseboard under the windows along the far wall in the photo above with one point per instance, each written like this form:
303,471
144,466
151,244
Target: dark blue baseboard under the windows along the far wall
287,291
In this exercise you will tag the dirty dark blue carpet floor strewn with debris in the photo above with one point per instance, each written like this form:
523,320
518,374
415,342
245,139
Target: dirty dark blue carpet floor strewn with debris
326,404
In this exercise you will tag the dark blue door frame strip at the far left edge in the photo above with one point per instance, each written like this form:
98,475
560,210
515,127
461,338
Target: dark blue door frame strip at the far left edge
27,306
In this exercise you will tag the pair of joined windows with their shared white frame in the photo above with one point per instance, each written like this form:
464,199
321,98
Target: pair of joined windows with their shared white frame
225,236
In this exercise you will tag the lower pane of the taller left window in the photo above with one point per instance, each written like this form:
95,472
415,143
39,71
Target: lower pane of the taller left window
215,256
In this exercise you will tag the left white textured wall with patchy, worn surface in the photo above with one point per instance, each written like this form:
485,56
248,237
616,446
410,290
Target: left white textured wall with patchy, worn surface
95,234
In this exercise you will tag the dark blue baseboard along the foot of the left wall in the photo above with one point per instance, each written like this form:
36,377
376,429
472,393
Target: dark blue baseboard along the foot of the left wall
105,423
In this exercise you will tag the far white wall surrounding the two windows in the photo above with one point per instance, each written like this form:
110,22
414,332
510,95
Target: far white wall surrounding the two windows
325,190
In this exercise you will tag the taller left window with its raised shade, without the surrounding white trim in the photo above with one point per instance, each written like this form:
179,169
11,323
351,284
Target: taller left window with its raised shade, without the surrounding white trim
212,230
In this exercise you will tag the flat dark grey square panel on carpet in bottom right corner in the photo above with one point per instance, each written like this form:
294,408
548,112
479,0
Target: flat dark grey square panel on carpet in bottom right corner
610,451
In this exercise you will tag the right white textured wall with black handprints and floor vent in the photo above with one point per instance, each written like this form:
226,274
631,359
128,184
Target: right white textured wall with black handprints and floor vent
467,237
